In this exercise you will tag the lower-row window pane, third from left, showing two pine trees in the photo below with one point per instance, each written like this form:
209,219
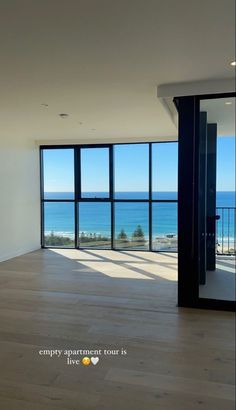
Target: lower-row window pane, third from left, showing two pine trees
131,225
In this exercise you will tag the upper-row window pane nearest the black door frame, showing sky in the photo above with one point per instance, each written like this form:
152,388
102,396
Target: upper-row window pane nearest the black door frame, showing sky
165,170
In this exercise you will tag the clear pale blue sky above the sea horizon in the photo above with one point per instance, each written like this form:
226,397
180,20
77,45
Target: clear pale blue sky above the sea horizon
131,168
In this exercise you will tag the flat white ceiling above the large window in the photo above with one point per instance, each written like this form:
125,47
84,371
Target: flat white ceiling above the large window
101,61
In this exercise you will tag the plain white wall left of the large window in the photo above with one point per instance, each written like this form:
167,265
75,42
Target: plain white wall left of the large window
19,197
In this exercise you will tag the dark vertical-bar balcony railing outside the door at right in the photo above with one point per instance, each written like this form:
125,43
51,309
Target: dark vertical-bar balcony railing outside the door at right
226,230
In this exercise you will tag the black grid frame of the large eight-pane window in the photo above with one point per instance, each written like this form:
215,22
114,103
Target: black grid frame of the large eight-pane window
111,199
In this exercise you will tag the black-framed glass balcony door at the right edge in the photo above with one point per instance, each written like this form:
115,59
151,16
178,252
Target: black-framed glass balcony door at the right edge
207,201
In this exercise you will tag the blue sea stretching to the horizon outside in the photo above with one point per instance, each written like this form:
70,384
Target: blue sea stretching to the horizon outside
95,217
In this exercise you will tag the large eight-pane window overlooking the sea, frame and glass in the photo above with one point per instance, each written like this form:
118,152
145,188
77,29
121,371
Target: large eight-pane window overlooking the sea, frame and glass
121,196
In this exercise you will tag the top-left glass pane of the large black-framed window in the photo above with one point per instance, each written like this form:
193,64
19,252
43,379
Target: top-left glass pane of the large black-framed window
58,172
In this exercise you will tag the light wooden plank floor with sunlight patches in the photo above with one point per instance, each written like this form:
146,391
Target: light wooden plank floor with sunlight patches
180,359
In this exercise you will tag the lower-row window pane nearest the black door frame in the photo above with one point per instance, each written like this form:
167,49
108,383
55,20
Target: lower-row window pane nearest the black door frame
164,226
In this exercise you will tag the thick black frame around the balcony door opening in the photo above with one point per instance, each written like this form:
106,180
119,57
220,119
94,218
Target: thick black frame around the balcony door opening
188,204
